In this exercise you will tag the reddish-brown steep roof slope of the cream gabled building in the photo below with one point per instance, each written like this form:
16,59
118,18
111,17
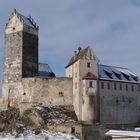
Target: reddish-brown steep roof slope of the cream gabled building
77,56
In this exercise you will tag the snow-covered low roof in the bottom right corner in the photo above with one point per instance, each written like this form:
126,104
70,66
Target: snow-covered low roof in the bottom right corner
122,133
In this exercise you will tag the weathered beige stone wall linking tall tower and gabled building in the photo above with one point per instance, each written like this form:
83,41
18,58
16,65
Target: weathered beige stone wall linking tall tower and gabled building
32,91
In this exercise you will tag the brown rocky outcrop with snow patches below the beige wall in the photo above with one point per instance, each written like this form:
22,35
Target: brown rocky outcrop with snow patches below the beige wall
36,118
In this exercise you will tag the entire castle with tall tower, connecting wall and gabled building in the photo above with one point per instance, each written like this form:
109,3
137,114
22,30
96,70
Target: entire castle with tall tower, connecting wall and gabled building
98,93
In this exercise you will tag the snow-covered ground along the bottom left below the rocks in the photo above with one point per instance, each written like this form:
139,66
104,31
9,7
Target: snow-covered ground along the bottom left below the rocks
44,135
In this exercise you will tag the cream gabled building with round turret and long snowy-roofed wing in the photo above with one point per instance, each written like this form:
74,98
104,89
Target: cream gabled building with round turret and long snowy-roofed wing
106,94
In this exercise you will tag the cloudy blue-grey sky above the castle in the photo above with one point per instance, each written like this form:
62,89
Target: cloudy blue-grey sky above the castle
110,27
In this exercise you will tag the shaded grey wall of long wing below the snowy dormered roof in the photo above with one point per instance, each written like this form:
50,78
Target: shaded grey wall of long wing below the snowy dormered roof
119,106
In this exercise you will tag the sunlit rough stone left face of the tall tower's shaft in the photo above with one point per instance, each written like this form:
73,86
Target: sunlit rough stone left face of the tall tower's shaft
13,57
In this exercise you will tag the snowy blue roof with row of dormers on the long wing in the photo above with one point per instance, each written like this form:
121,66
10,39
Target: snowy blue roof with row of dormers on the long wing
117,73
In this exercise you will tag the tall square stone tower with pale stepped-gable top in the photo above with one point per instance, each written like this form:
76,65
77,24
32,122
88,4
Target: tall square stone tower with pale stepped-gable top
21,48
